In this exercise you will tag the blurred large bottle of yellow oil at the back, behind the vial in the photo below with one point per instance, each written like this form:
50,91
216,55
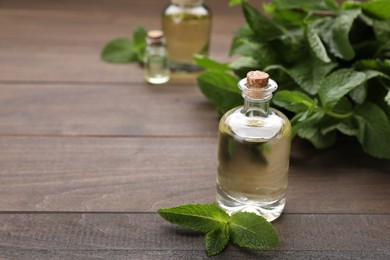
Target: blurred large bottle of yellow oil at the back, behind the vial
186,24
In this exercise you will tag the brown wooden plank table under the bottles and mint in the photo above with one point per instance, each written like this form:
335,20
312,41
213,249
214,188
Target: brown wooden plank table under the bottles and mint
89,152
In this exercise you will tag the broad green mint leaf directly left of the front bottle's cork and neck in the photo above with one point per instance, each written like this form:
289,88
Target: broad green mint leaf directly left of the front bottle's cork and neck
220,89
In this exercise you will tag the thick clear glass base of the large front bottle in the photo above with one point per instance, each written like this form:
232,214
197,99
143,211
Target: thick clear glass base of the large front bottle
270,209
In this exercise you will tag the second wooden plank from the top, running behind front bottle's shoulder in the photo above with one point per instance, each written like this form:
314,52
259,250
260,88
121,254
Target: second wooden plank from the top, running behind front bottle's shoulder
104,109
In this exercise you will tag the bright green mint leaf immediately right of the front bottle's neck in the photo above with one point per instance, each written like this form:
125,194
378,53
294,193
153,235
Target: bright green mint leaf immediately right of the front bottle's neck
295,101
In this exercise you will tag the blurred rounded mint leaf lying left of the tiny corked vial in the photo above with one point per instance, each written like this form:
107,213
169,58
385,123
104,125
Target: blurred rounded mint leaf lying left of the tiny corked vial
119,51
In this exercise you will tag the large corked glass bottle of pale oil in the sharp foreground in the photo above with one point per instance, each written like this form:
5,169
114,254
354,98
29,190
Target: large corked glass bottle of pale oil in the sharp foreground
254,152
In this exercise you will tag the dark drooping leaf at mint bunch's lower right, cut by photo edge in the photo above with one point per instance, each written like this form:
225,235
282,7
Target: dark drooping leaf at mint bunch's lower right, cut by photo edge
374,130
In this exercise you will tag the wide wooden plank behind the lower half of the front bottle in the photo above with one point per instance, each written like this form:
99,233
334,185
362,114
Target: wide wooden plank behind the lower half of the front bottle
116,174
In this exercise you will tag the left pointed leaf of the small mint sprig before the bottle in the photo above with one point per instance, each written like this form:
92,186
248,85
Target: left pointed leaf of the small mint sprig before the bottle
198,217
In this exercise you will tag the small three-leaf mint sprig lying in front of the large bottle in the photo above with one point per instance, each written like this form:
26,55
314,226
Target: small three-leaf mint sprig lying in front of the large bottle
243,229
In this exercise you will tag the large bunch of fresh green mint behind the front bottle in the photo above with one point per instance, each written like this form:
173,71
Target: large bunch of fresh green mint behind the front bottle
331,61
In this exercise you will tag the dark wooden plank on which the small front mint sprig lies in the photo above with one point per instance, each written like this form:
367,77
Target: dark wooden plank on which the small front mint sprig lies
134,235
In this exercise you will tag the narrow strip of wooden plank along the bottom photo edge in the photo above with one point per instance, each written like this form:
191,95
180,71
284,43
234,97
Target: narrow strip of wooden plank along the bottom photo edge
17,253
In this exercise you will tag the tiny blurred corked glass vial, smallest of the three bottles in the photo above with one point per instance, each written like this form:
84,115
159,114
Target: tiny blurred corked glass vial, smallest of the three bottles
156,66
